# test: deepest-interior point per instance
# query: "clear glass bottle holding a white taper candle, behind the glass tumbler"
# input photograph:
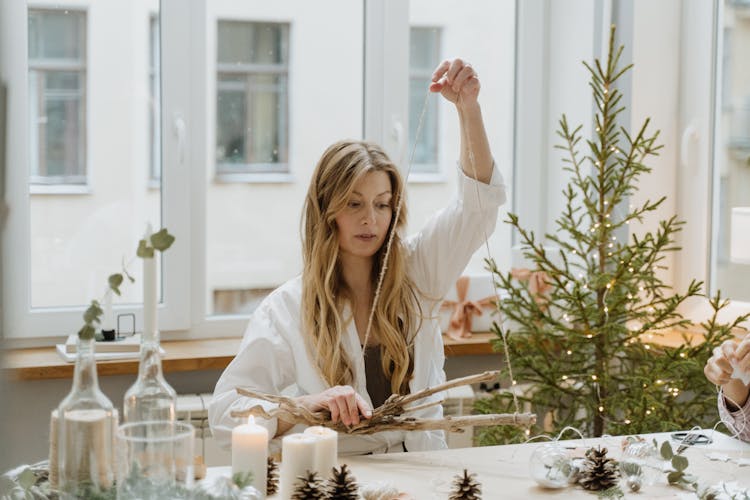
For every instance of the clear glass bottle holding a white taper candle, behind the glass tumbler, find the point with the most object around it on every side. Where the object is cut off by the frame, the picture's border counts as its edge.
(150, 398)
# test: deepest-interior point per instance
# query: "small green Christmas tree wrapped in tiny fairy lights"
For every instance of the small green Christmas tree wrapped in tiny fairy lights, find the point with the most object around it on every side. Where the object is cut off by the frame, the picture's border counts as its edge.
(579, 350)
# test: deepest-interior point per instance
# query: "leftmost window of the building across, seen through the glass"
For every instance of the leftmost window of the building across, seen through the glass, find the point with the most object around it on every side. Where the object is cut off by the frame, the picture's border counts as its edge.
(57, 96)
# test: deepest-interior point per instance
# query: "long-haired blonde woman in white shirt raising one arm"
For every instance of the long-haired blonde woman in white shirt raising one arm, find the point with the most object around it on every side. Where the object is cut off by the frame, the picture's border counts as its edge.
(310, 334)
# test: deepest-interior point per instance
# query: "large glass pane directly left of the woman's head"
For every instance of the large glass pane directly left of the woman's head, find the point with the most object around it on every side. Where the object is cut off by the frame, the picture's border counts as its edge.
(284, 92)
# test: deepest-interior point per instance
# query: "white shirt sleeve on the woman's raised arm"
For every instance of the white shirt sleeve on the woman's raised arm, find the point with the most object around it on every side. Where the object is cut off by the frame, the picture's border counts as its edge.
(441, 250)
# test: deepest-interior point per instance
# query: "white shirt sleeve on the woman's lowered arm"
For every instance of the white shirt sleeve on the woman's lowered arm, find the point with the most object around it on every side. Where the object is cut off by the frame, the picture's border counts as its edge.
(265, 363)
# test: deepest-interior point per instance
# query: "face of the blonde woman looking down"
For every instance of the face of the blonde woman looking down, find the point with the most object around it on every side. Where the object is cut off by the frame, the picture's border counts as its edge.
(364, 221)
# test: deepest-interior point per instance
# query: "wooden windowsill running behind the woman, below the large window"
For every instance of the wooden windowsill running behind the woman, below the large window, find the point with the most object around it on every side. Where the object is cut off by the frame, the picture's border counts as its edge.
(43, 363)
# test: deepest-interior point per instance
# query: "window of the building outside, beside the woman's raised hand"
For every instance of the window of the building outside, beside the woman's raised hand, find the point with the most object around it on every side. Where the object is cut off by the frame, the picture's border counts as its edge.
(424, 53)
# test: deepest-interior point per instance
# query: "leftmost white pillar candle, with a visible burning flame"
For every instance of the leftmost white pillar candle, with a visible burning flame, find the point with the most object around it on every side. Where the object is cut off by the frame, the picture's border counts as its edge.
(250, 452)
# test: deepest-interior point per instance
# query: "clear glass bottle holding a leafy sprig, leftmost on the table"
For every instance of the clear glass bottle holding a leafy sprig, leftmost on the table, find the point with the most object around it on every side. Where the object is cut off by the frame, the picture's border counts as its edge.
(86, 423)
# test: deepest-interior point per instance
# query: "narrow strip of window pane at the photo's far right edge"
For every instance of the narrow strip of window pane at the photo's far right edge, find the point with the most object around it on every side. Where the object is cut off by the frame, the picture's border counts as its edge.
(733, 159)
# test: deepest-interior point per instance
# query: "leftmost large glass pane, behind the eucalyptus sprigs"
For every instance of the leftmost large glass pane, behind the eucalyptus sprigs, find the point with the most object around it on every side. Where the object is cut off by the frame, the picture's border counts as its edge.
(100, 140)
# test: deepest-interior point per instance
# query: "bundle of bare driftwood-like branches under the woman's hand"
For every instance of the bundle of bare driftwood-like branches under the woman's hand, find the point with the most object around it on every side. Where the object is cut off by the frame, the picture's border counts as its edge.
(391, 415)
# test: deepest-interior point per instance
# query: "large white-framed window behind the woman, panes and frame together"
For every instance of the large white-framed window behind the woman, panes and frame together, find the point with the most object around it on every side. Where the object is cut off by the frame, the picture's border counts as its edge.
(264, 88)
